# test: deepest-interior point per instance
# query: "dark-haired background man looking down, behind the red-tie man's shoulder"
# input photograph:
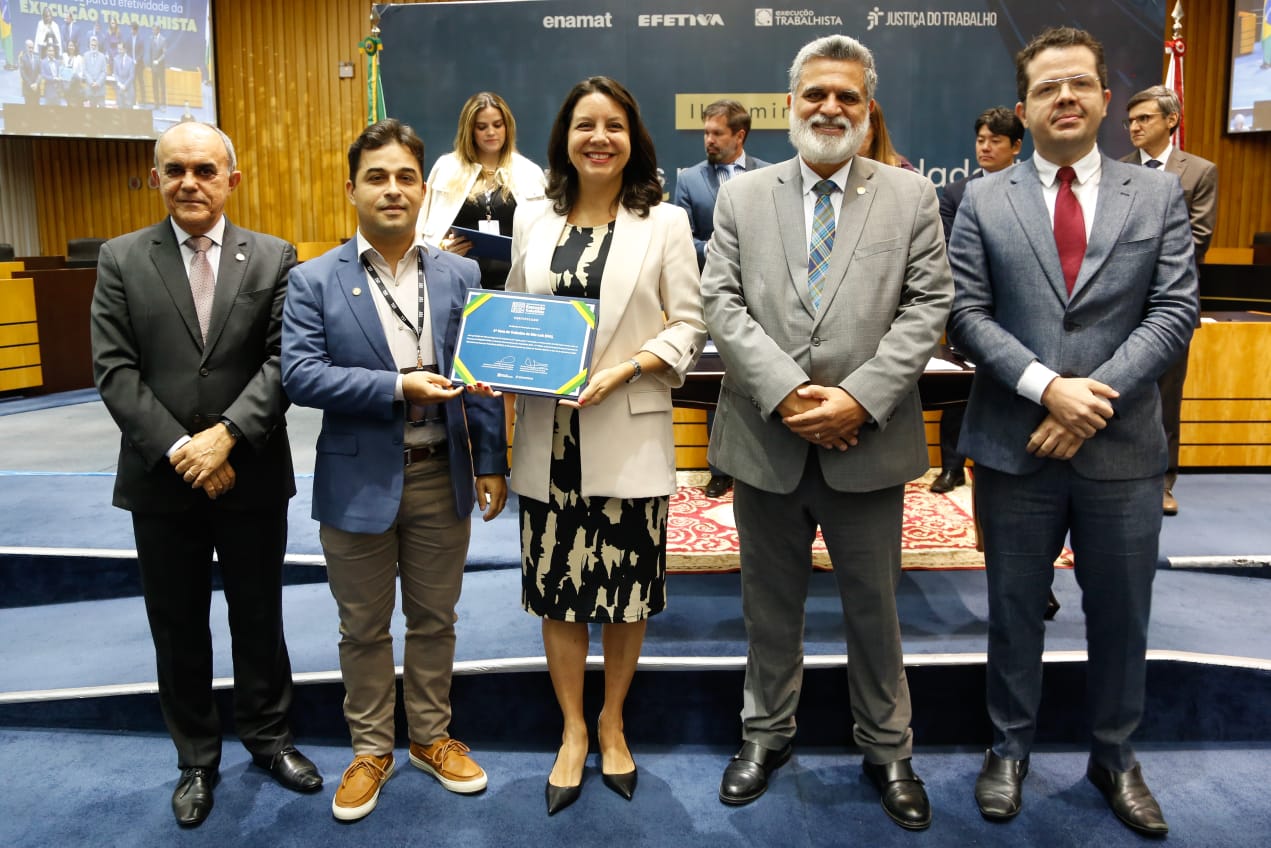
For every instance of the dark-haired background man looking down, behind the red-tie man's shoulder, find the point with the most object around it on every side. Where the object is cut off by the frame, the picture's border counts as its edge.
(998, 137)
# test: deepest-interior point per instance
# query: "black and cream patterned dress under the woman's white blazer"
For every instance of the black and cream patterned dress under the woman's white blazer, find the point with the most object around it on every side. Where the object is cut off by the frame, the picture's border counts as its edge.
(589, 559)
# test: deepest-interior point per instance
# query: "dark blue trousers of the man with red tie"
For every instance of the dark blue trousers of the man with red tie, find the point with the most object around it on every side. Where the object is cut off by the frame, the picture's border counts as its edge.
(1114, 527)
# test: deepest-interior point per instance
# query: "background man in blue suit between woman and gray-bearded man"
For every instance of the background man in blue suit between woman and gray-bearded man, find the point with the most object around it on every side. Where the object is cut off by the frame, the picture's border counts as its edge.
(728, 125)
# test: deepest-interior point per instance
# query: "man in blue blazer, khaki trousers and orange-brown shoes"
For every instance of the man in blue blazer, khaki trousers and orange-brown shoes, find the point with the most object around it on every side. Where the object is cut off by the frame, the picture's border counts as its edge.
(369, 331)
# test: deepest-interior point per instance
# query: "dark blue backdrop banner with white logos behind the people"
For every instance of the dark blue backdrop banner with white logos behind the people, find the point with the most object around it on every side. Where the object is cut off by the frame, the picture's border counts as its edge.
(941, 63)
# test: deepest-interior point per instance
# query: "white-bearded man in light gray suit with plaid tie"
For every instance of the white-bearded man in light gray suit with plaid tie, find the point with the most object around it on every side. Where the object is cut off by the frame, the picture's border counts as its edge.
(826, 291)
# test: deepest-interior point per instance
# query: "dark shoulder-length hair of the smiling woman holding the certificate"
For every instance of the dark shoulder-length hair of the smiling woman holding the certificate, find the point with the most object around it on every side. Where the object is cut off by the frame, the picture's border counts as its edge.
(641, 188)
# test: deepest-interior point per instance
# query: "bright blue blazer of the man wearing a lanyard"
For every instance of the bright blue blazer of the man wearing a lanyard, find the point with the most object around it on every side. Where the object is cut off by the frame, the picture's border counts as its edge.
(337, 359)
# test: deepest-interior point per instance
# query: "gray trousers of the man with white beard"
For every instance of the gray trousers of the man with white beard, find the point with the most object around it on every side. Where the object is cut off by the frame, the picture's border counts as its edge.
(862, 535)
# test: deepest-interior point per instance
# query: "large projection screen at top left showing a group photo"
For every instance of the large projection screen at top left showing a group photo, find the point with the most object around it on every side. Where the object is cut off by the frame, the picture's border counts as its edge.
(105, 69)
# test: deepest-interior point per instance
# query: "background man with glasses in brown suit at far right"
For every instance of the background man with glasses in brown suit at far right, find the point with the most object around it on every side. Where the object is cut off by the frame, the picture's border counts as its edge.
(1153, 118)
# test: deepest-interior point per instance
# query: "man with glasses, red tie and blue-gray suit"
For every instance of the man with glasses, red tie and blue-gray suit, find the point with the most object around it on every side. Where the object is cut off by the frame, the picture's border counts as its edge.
(1076, 289)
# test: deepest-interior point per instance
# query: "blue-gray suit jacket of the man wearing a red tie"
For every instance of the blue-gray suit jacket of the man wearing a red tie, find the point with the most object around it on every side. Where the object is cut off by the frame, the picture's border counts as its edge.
(1131, 315)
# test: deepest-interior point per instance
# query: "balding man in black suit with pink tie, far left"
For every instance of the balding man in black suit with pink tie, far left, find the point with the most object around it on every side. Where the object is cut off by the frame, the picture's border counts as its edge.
(187, 327)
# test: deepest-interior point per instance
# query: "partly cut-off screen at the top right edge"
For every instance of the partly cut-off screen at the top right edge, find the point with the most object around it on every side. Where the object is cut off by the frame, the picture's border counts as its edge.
(1250, 106)
